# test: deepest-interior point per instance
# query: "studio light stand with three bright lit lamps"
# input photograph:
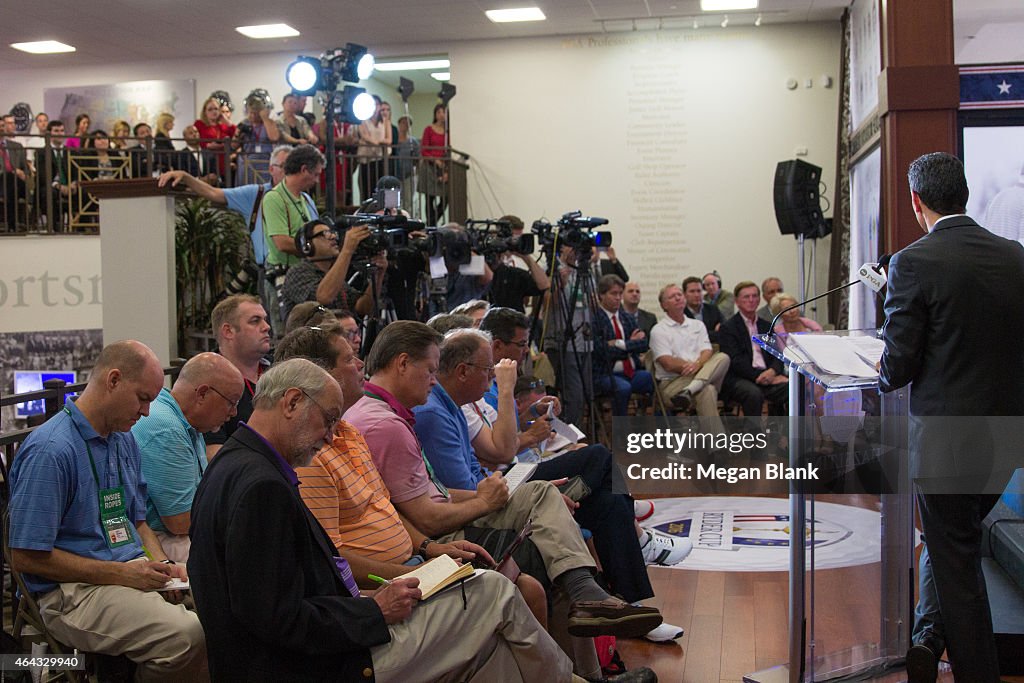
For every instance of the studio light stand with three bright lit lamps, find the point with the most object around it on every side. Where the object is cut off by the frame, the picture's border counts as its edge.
(308, 76)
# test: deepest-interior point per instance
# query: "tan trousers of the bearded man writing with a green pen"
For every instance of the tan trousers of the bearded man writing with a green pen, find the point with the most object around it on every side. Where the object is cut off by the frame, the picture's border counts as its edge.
(494, 638)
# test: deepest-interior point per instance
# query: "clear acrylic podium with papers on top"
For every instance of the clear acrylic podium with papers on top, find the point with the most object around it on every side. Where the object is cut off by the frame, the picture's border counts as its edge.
(839, 649)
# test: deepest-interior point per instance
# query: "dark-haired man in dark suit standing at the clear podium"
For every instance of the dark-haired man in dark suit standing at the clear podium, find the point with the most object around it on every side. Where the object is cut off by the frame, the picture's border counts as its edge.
(959, 272)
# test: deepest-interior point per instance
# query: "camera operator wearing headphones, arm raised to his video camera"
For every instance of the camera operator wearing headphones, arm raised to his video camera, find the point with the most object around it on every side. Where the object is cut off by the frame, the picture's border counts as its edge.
(323, 275)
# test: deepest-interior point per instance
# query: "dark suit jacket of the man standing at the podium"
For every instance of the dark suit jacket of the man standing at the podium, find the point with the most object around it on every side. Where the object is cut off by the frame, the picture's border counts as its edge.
(954, 329)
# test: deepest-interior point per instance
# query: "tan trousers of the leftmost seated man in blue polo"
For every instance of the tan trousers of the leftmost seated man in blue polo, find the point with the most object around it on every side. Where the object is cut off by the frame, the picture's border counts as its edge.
(165, 642)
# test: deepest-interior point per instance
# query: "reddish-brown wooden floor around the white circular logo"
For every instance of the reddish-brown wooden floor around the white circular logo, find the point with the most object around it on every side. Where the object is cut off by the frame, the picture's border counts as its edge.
(736, 622)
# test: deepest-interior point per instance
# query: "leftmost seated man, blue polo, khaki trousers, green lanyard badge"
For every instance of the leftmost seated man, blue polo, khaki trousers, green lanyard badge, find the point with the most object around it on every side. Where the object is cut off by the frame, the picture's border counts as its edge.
(96, 573)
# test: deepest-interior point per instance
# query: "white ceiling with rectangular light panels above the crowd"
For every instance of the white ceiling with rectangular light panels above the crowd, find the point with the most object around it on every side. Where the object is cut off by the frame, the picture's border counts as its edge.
(111, 31)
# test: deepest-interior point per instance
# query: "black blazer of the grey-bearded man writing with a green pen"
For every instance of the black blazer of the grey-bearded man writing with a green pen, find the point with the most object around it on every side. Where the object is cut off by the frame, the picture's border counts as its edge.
(268, 591)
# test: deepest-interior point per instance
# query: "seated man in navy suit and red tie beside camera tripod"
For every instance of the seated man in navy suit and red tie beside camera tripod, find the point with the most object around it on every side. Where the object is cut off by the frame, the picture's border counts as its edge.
(618, 346)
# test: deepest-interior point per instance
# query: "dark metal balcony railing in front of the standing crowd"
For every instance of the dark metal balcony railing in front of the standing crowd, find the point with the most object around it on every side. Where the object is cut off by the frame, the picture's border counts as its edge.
(50, 198)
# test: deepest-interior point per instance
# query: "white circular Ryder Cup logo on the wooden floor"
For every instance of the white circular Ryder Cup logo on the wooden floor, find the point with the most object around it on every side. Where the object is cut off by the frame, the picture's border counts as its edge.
(753, 534)
